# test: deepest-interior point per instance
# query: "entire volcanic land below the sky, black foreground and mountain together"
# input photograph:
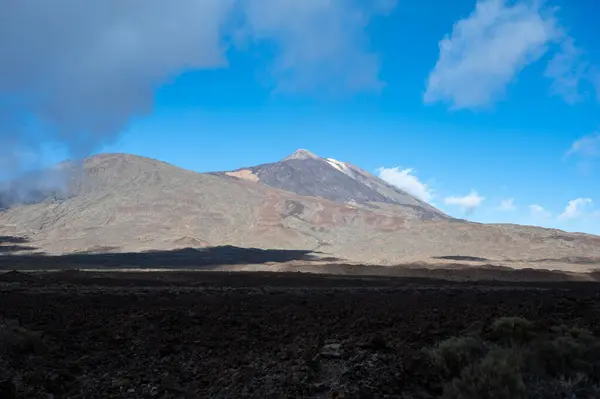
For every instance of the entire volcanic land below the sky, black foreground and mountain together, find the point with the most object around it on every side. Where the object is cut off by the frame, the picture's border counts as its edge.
(398, 281)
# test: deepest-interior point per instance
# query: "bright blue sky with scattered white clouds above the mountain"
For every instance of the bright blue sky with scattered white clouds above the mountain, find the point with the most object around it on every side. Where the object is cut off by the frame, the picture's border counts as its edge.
(487, 109)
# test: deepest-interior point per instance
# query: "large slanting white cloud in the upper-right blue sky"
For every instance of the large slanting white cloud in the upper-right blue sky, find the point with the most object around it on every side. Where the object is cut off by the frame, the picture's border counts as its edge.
(485, 51)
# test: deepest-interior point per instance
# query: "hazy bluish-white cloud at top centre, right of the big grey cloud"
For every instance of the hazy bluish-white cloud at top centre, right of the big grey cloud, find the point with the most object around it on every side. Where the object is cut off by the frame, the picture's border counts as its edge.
(319, 44)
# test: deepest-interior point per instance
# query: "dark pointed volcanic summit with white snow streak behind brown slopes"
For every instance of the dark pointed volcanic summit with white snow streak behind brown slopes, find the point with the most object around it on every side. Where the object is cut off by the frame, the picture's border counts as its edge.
(304, 173)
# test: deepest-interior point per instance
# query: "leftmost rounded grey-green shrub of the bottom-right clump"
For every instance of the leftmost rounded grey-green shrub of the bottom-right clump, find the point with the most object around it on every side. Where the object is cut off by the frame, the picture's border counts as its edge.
(451, 356)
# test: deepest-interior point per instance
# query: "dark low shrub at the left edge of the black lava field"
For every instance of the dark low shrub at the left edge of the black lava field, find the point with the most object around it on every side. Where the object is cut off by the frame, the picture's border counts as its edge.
(17, 342)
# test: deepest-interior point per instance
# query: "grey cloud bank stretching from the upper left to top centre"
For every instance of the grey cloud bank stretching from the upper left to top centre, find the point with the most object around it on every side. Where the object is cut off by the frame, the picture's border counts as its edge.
(76, 72)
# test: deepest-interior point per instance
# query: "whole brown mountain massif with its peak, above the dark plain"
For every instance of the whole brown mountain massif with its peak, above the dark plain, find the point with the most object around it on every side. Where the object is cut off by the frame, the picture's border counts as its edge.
(128, 203)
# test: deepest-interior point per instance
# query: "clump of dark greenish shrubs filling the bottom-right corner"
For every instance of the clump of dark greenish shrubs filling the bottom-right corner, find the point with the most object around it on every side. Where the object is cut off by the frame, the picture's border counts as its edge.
(514, 359)
